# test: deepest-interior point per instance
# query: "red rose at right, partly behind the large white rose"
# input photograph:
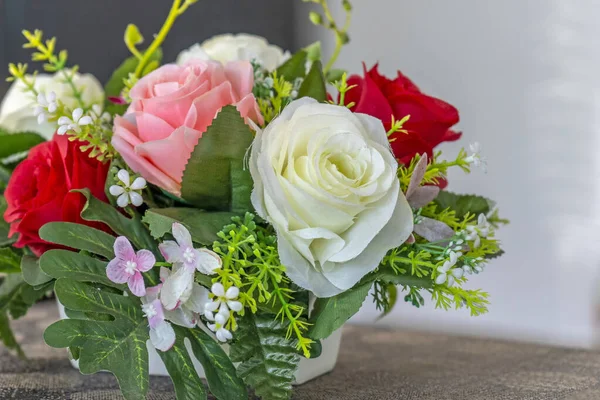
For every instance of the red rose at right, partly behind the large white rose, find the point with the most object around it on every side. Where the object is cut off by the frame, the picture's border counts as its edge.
(430, 118)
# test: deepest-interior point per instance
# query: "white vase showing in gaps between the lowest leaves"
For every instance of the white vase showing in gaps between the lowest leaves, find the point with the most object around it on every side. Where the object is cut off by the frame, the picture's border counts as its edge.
(309, 368)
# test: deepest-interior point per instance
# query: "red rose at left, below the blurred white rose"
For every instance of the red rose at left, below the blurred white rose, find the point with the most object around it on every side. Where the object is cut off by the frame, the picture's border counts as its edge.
(39, 190)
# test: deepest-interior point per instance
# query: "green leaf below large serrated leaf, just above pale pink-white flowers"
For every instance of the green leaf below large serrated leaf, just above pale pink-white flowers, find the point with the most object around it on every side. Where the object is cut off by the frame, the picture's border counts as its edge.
(203, 226)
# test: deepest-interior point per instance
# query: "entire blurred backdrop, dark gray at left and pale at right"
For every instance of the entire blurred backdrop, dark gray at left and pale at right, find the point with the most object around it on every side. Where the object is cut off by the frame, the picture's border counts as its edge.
(524, 75)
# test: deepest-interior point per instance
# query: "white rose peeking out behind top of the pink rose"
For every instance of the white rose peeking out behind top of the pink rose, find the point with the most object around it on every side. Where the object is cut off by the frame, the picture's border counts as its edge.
(242, 47)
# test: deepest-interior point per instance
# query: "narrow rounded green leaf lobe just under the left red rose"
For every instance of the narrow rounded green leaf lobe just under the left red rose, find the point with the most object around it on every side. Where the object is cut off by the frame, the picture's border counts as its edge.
(79, 237)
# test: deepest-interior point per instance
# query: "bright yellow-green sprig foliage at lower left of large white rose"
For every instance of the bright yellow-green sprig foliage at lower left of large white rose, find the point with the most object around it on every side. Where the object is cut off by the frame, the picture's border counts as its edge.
(251, 263)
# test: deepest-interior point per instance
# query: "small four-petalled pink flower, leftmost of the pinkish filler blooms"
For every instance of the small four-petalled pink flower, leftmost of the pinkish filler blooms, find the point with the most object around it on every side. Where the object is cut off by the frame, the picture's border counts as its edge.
(128, 266)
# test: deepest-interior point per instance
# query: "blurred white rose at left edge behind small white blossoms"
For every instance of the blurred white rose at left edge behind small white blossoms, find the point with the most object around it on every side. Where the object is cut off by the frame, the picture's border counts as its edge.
(16, 110)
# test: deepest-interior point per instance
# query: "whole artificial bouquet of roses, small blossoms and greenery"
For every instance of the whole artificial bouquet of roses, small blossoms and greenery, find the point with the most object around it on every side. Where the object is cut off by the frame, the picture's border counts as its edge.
(227, 198)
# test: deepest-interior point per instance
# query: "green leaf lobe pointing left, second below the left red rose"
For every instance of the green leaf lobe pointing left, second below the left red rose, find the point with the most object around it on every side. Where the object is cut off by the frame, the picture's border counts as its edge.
(67, 264)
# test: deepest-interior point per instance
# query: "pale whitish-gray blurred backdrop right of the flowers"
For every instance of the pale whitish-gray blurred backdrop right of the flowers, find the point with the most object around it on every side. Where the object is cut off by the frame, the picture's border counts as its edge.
(524, 75)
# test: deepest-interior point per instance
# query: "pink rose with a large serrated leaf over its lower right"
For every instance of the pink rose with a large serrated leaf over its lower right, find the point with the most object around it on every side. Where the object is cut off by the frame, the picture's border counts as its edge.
(171, 108)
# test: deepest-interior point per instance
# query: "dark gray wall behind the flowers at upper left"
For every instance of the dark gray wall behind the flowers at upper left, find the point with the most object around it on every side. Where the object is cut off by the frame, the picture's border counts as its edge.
(92, 30)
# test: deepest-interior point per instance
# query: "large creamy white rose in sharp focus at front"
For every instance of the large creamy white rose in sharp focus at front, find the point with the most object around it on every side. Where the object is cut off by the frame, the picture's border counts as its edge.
(325, 178)
